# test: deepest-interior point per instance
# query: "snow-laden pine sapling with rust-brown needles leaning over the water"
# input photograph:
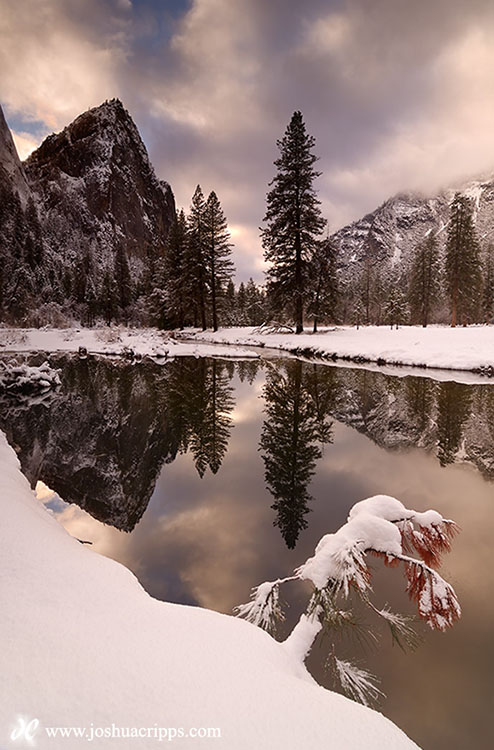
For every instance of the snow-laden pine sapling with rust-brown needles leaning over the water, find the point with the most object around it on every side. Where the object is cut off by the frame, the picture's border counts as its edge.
(382, 526)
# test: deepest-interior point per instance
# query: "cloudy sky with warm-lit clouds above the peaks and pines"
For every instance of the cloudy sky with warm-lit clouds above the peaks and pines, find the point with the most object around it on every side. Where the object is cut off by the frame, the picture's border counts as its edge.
(399, 94)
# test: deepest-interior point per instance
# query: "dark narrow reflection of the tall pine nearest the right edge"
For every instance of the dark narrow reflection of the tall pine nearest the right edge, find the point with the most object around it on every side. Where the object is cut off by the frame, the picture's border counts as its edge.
(454, 406)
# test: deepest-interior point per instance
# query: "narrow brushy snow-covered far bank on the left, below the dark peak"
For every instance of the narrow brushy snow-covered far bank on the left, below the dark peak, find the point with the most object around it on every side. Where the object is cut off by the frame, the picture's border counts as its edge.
(112, 341)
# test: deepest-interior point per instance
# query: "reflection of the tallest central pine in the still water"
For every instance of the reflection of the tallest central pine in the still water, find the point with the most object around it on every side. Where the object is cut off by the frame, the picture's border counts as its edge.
(289, 442)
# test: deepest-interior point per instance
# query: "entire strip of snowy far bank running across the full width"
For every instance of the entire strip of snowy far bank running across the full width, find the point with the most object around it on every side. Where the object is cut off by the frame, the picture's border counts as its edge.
(440, 352)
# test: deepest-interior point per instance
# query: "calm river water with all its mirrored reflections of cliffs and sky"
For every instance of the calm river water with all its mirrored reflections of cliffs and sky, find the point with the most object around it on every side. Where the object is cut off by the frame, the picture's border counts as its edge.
(182, 472)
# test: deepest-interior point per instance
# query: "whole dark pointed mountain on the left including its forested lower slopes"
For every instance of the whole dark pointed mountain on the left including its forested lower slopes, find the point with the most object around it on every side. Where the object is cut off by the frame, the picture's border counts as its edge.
(83, 223)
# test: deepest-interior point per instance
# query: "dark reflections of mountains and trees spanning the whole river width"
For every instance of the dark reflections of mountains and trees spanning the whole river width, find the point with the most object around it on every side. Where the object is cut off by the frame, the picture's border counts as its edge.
(101, 441)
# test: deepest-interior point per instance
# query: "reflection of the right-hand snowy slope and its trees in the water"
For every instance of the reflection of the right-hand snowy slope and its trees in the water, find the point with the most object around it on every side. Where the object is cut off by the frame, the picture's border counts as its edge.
(451, 420)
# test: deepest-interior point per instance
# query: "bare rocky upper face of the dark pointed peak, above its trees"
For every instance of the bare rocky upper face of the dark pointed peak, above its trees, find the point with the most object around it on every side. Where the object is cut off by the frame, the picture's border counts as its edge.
(93, 181)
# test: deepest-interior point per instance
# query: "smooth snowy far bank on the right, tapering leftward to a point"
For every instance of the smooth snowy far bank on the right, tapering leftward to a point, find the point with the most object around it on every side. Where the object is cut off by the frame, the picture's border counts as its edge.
(441, 347)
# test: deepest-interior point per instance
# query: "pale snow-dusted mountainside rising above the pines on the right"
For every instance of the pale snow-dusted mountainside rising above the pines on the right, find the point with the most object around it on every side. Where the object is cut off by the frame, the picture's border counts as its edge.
(389, 235)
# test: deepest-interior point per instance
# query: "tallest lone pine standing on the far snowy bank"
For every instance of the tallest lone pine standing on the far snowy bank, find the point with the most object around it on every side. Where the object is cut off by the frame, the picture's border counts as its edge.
(294, 221)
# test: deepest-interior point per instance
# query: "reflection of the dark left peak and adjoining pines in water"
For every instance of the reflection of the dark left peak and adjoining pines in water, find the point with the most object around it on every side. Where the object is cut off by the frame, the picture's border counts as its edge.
(100, 442)
